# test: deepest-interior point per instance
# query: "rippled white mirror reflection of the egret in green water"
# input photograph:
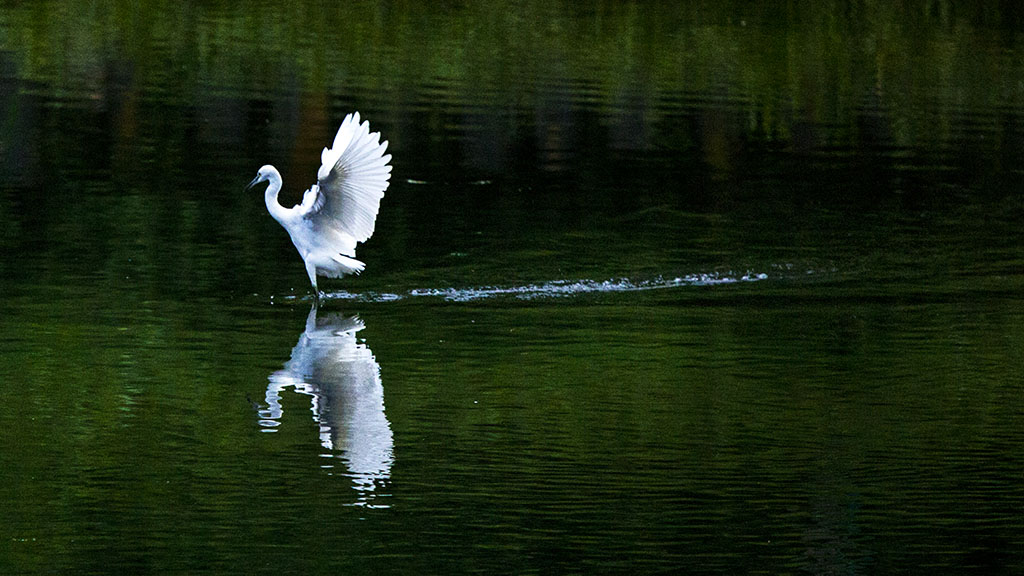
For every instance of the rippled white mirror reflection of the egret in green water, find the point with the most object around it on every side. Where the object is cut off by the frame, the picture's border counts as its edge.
(343, 380)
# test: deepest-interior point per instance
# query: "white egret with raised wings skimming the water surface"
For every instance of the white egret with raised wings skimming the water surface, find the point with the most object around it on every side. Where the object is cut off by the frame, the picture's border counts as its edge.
(342, 209)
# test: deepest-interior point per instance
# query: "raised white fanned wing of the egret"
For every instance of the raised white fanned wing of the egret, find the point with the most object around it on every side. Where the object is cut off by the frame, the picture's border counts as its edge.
(352, 182)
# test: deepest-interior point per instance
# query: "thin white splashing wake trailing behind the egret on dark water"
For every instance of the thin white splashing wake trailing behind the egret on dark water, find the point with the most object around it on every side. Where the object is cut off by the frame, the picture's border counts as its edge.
(552, 290)
